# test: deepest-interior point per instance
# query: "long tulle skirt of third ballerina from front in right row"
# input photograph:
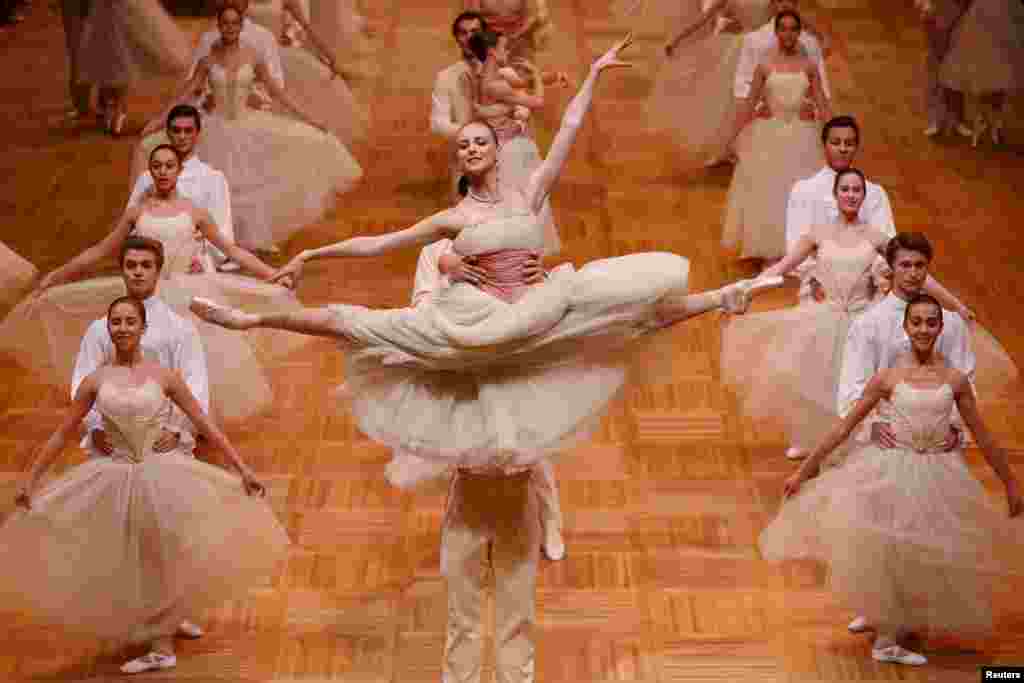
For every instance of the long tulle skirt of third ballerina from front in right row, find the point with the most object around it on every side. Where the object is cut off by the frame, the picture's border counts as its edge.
(774, 155)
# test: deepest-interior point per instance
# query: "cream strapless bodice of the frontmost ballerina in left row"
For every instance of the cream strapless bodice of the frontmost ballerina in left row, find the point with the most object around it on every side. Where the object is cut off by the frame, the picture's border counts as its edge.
(134, 417)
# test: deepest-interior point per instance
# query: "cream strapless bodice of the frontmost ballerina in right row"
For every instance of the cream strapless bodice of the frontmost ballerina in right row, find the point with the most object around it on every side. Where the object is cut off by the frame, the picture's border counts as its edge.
(921, 417)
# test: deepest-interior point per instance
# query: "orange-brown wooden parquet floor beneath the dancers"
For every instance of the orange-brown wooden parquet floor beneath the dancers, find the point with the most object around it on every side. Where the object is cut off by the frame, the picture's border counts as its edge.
(663, 508)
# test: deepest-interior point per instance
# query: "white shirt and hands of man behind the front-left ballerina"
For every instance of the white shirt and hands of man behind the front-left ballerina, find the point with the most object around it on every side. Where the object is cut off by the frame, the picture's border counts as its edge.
(170, 340)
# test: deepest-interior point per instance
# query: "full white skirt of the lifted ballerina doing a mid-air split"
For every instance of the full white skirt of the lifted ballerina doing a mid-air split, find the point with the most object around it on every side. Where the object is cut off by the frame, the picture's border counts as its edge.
(467, 380)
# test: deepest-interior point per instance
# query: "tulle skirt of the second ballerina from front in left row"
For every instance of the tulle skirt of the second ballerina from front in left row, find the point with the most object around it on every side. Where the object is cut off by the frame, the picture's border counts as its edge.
(46, 335)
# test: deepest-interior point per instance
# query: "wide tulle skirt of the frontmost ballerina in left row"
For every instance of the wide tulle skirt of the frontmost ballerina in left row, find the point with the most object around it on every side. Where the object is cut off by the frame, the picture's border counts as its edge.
(126, 551)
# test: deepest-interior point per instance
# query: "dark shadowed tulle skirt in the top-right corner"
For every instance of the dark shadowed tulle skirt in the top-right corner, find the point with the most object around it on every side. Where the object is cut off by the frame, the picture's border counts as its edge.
(987, 53)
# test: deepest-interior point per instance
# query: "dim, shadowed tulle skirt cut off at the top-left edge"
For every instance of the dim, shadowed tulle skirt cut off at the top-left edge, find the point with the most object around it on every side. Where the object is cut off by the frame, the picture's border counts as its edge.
(130, 41)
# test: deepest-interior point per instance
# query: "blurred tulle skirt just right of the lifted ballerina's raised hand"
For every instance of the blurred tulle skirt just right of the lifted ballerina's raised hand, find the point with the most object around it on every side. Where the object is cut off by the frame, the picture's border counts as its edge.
(693, 97)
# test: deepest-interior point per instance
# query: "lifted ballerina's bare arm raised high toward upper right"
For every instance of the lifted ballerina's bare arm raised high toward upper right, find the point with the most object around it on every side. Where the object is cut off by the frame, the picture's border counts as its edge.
(547, 175)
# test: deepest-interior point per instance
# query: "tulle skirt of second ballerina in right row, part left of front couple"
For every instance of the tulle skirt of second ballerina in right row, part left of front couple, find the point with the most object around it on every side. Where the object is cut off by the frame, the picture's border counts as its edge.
(785, 366)
